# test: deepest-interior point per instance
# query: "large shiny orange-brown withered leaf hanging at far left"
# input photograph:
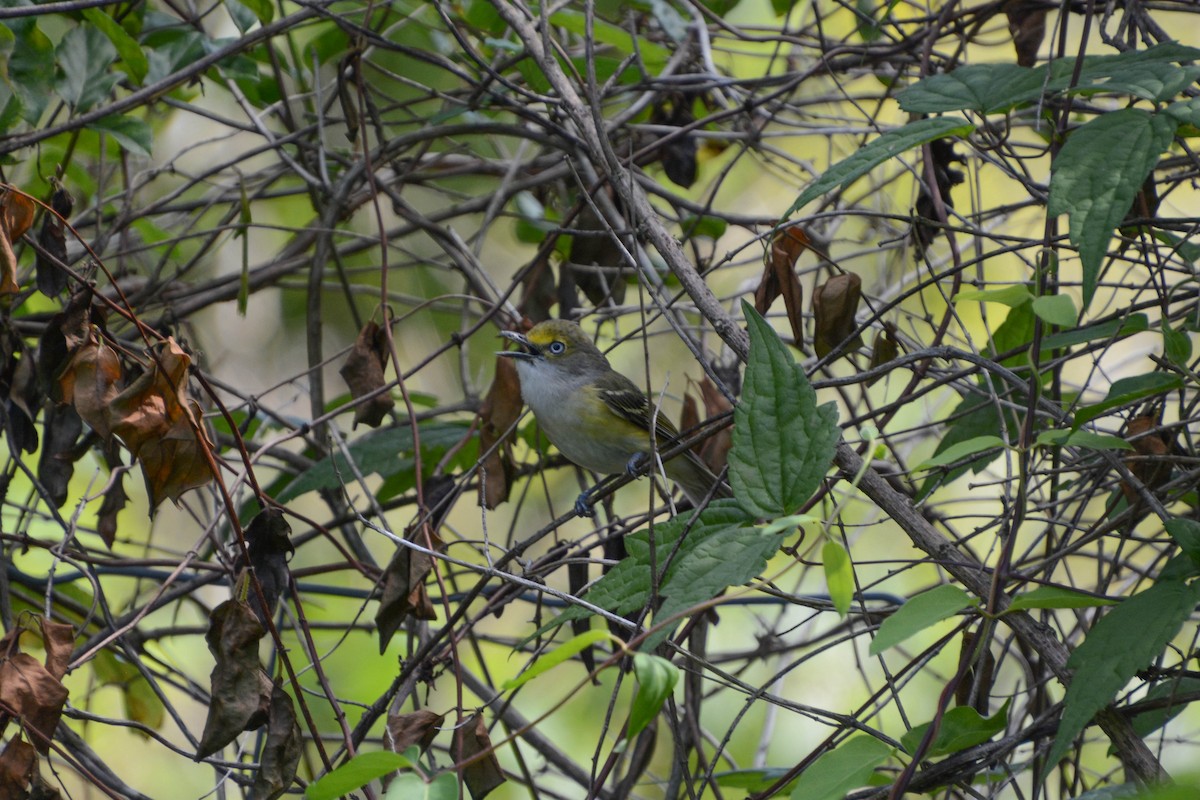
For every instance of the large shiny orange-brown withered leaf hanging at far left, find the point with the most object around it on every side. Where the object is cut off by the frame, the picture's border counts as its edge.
(159, 424)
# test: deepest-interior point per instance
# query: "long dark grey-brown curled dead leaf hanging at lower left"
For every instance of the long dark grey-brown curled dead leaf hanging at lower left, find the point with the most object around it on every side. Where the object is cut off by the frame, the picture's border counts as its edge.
(241, 690)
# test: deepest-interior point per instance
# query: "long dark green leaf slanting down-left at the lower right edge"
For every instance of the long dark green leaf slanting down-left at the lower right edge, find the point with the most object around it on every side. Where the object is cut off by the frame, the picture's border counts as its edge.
(1126, 640)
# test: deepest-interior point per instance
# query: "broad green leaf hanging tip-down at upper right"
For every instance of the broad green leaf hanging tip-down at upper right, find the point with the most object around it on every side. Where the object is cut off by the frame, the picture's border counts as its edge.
(1097, 176)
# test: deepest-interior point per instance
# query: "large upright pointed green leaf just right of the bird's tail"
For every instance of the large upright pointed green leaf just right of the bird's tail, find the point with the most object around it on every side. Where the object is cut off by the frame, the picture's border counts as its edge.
(783, 442)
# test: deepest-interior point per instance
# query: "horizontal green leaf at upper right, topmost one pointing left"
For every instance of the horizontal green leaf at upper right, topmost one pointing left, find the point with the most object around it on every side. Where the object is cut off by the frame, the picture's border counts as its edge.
(983, 88)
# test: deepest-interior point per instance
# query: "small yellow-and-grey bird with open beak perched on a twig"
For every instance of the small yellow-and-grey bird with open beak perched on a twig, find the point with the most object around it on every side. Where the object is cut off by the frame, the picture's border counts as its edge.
(597, 417)
